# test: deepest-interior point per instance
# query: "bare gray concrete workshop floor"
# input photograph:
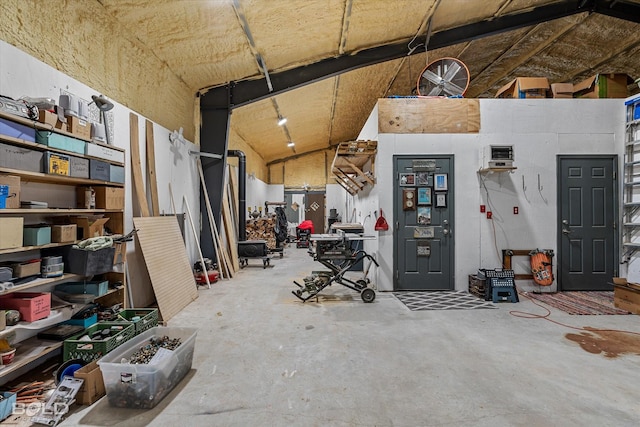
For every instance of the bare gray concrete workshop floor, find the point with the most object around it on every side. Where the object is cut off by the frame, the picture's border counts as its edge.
(264, 358)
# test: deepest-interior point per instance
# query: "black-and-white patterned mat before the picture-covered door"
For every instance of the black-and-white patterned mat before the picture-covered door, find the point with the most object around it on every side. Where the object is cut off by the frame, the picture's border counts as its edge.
(442, 300)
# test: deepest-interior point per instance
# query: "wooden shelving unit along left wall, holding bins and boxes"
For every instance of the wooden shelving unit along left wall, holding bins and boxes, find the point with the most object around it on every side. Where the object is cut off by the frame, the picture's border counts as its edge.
(30, 350)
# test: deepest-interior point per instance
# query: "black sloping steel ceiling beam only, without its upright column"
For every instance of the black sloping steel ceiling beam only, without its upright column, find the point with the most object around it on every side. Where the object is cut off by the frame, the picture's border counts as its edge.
(244, 92)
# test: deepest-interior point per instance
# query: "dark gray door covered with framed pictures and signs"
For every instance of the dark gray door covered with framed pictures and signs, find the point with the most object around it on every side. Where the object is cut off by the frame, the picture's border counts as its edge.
(423, 242)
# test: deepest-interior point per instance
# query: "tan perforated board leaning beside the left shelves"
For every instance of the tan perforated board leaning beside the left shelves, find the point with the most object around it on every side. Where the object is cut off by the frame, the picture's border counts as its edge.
(166, 258)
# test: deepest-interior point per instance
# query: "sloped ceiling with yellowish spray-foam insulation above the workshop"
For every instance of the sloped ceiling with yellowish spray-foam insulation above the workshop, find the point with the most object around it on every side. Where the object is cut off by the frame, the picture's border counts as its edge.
(323, 64)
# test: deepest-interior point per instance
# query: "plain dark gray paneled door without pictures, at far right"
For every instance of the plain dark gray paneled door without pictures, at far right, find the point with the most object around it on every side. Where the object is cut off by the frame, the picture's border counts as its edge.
(587, 207)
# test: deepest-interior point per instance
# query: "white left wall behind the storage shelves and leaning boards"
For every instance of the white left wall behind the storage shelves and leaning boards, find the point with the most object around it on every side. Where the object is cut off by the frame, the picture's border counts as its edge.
(22, 75)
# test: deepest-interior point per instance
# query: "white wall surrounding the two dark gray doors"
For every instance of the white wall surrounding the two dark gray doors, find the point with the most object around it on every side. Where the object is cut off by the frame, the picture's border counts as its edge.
(539, 130)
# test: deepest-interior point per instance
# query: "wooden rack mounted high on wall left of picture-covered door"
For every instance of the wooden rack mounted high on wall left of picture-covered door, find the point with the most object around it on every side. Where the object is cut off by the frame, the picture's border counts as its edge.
(353, 165)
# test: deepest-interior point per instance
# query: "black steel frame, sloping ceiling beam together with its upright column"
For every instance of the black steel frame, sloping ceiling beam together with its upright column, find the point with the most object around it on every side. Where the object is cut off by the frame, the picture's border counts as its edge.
(219, 101)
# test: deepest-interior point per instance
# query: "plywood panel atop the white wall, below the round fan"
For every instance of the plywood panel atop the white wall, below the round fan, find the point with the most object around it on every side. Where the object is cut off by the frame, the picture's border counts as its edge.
(428, 115)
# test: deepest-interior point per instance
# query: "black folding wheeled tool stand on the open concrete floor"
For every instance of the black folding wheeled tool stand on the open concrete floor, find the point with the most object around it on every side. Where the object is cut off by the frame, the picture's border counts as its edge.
(334, 251)
